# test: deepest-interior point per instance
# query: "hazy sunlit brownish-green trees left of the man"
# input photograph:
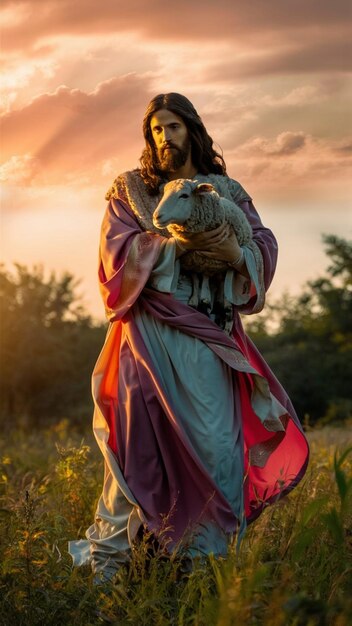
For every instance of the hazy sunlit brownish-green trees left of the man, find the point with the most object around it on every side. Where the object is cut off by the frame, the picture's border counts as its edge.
(48, 346)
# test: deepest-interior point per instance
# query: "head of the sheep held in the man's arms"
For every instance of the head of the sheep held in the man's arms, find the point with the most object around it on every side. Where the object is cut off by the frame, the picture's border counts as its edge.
(175, 206)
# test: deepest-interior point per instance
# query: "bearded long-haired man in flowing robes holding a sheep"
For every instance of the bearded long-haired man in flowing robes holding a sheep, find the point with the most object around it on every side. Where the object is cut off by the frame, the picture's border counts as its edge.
(196, 432)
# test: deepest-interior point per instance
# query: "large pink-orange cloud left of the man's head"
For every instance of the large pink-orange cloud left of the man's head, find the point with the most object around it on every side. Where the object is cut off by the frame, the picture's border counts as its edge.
(70, 134)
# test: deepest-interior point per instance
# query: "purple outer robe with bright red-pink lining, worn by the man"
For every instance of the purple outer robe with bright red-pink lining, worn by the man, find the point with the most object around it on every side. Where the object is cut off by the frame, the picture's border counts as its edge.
(137, 415)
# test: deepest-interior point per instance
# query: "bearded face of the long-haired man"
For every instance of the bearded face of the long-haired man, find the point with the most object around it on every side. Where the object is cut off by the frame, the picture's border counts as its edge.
(171, 140)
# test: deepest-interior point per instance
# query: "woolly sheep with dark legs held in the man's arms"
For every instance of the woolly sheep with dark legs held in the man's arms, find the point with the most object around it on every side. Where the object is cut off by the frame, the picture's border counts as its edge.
(188, 206)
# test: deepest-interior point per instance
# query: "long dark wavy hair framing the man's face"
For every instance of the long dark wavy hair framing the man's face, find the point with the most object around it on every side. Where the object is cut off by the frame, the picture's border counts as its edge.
(204, 157)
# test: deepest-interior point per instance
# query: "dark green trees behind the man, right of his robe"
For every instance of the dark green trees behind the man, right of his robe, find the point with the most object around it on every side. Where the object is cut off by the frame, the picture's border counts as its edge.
(310, 350)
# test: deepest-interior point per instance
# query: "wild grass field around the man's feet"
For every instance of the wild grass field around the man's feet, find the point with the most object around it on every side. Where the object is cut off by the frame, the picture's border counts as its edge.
(294, 566)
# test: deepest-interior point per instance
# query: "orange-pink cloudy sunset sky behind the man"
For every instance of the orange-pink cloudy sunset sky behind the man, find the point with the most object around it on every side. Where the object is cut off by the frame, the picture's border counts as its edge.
(270, 79)
